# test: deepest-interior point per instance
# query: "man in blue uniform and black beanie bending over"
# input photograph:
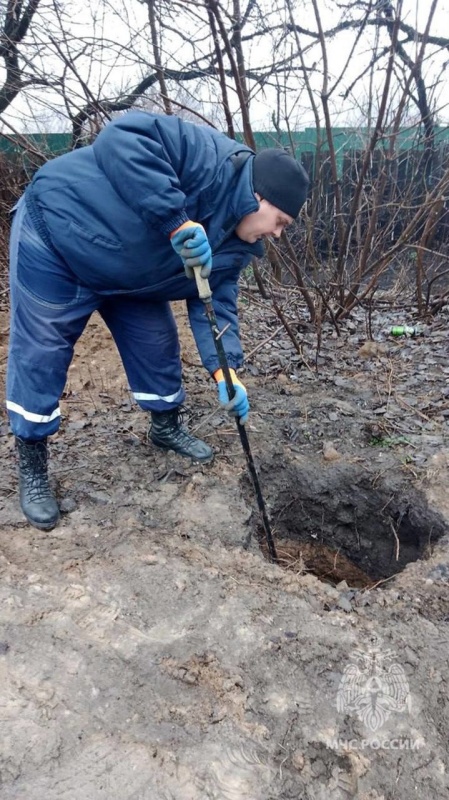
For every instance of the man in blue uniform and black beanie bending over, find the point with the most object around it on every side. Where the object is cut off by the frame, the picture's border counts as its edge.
(117, 227)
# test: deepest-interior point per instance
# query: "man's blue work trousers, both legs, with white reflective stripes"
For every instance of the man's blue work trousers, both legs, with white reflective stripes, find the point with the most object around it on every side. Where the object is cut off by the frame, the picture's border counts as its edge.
(49, 311)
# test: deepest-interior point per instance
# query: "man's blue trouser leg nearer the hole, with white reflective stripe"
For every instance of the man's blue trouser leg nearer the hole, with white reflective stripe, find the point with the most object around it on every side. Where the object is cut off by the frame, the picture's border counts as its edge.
(147, 339)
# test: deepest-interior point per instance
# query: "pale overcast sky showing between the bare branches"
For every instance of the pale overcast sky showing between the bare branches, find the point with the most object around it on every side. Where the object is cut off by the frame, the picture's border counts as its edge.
(125, 21)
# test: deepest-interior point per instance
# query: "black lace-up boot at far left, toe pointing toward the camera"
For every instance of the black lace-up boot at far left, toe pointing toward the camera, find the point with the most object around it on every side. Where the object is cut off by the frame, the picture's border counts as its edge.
(36, 498)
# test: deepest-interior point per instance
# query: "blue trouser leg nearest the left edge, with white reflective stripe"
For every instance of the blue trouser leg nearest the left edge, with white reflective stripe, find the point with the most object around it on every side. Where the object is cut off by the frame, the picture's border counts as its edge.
(48, 314)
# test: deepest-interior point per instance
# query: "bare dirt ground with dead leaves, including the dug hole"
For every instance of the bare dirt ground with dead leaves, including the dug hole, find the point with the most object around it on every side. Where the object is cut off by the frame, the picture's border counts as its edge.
(149, 651)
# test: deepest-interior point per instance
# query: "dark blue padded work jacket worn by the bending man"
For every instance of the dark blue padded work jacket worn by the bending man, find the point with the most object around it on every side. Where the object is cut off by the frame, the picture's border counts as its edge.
(108, 209)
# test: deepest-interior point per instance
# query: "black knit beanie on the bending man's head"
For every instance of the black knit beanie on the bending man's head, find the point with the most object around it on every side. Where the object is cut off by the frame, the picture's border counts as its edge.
(281, 180)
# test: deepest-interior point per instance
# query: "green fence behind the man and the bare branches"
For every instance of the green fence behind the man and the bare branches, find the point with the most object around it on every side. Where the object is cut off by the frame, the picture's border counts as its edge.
(406, 177)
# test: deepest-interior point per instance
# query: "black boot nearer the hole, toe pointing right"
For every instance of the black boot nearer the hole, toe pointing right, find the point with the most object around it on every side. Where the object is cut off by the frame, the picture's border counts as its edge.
(167, 433)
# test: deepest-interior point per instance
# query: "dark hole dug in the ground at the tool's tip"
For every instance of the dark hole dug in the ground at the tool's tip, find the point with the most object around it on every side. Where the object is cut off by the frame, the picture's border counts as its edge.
(340, 524)
